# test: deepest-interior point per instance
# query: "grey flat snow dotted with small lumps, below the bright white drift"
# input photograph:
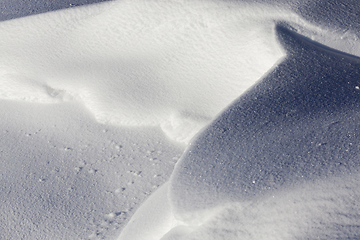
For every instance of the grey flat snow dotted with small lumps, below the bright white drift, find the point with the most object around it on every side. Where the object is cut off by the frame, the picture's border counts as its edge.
(65, 176)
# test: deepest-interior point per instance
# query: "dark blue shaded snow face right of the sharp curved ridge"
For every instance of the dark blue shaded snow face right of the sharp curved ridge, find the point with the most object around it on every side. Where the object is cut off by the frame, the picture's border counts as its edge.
(298, 125)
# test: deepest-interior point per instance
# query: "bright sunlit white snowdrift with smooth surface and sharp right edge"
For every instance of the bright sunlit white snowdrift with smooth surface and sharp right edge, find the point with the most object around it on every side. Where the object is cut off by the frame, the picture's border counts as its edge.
(171, 63)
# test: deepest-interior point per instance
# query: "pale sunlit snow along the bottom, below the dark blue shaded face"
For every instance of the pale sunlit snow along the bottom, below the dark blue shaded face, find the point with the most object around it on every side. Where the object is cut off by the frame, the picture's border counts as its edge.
(327, 209)
